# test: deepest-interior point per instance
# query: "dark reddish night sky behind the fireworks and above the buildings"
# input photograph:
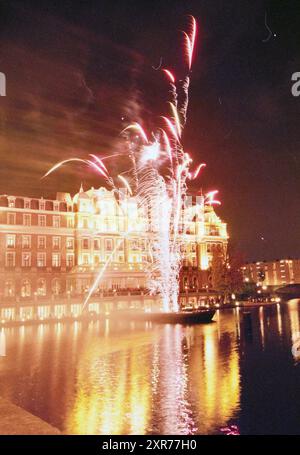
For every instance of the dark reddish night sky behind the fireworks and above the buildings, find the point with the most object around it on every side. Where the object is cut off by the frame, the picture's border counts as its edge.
(74, 69)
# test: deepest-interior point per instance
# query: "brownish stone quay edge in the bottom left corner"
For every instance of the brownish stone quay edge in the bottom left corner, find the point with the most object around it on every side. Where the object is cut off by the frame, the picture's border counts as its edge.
(16, 421)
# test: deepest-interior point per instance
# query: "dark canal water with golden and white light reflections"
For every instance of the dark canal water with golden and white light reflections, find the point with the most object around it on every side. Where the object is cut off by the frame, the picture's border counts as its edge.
(122, 377)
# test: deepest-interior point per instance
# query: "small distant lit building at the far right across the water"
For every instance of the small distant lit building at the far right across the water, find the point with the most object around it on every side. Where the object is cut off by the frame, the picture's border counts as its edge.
(273, 273)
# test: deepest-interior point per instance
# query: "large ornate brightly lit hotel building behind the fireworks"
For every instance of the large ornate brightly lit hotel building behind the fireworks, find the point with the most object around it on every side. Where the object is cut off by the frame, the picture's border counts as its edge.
(55, 248)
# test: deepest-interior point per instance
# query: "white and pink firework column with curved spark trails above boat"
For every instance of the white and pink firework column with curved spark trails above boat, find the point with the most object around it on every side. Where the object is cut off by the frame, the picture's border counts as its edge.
(159, 194)
